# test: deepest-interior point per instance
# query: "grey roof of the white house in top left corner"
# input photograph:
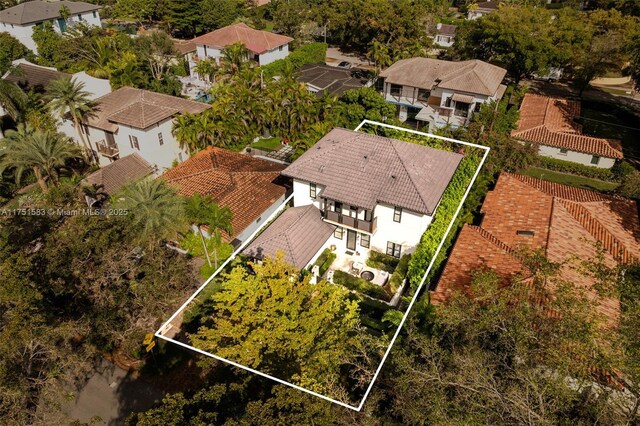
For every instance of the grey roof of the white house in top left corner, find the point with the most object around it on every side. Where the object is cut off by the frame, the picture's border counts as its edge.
(35, 11)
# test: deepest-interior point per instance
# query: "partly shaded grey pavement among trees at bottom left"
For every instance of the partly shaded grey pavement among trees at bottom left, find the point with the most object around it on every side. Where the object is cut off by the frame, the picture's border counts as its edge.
(110, 395)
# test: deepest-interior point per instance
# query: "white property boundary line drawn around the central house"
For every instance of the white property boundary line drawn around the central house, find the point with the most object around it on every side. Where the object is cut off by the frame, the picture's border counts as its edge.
(404, 318)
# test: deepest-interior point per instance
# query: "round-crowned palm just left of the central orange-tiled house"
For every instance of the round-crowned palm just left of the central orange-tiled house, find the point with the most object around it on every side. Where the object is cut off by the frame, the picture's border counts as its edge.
(155, 210)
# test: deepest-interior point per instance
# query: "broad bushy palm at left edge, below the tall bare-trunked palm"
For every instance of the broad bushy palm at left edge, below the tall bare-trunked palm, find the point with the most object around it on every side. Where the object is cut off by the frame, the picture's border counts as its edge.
(43, 152)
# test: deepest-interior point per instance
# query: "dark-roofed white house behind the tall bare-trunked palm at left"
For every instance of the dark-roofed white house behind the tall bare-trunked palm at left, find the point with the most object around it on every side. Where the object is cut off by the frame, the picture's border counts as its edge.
(34, 77)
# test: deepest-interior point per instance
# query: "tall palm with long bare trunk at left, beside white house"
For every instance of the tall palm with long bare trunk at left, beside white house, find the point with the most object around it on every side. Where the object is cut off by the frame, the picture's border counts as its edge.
(68, 95)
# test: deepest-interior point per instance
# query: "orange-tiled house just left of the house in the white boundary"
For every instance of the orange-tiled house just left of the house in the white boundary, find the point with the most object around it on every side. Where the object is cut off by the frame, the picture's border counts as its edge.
(252, 188)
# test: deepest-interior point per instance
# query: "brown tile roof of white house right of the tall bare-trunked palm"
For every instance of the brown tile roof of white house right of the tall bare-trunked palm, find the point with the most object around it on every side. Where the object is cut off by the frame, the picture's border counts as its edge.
(139, 108)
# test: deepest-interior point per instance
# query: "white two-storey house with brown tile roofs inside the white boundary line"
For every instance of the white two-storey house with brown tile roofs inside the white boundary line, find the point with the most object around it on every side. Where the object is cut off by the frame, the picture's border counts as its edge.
(375, 193)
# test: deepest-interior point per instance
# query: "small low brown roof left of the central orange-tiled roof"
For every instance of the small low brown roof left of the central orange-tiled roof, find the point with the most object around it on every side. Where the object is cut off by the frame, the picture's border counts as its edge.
(119, 173)
